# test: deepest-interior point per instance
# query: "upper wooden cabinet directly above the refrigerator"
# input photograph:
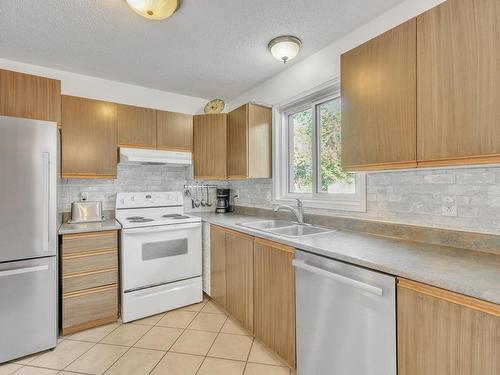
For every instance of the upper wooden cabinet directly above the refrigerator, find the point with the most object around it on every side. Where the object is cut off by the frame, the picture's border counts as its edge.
(28, 96)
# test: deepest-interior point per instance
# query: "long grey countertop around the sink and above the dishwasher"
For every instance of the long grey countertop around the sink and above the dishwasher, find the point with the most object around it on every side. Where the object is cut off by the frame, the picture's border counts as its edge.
(467, 272)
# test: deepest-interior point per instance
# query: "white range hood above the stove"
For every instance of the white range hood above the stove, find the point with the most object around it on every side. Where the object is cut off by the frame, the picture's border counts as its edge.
(153, 157)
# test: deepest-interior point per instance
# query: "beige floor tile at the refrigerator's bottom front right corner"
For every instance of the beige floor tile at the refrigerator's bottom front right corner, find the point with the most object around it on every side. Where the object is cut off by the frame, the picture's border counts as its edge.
(65, 353)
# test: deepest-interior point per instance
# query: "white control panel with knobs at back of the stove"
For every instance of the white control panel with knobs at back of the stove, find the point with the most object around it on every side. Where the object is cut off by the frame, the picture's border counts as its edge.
(149, 199)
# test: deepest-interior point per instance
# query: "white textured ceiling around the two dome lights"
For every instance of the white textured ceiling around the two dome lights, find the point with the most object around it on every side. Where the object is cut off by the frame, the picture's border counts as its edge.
(209, 48)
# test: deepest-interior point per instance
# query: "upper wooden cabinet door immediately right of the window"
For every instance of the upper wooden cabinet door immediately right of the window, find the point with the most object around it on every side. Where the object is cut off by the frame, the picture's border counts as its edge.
(379, 91)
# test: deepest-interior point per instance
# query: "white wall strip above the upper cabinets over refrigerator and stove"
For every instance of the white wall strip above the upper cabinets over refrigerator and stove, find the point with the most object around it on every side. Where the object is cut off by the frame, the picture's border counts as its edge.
(113, 91)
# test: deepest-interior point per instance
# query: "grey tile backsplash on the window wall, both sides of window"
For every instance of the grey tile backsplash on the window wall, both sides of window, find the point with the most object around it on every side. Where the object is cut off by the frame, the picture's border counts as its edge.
(461, 198)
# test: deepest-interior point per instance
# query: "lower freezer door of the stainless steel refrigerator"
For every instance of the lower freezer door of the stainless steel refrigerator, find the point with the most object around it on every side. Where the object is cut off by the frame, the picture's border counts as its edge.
(28, 321)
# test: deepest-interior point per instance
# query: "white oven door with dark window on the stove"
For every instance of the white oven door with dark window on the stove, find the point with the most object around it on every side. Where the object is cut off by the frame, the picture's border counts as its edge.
(158, 255)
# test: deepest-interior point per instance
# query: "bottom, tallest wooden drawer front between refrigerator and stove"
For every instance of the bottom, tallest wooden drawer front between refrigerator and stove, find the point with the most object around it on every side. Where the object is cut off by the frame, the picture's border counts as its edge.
(90, 306)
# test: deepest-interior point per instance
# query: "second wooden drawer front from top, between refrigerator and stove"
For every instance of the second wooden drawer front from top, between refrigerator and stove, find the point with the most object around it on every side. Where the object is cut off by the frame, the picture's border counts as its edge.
(90, 262)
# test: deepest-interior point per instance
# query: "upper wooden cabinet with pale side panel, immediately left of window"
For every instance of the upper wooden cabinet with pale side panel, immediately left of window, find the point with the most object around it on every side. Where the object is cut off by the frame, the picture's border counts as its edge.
(249, 137)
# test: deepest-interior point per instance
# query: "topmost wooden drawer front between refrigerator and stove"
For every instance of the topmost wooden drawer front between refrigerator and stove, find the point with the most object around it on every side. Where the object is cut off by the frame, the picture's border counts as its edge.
(88, 242)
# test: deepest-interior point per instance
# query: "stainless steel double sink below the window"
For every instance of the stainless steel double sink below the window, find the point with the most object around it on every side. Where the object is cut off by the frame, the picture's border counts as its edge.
(285, 228)
